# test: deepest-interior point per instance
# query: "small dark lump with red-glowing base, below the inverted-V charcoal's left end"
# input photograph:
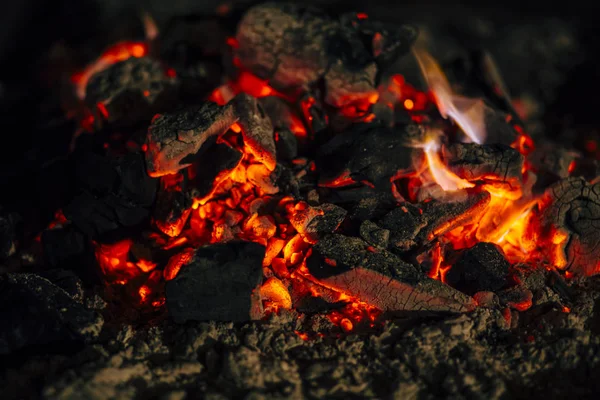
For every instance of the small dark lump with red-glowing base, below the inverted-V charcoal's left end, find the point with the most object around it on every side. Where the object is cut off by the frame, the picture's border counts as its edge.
(172, 209)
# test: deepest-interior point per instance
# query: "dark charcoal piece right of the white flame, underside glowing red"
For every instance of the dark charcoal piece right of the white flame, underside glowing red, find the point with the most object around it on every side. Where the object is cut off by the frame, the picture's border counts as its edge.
(492, 163)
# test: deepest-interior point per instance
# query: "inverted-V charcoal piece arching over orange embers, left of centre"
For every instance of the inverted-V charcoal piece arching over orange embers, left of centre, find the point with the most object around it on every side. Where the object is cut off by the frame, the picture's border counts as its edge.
(174, 137)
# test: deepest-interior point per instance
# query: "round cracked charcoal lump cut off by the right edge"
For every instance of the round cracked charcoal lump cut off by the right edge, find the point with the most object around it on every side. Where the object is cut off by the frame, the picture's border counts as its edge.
(571, 209)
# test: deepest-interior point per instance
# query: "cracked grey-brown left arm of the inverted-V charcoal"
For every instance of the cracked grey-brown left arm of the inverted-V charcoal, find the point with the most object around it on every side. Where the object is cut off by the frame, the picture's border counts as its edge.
(172, 137)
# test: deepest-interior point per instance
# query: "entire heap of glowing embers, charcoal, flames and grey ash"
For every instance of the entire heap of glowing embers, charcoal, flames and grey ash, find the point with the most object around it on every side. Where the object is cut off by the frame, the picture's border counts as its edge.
(314, 207)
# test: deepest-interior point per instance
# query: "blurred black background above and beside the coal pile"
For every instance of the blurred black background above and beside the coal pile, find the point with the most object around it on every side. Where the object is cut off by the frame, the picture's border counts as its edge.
(35, 136)
